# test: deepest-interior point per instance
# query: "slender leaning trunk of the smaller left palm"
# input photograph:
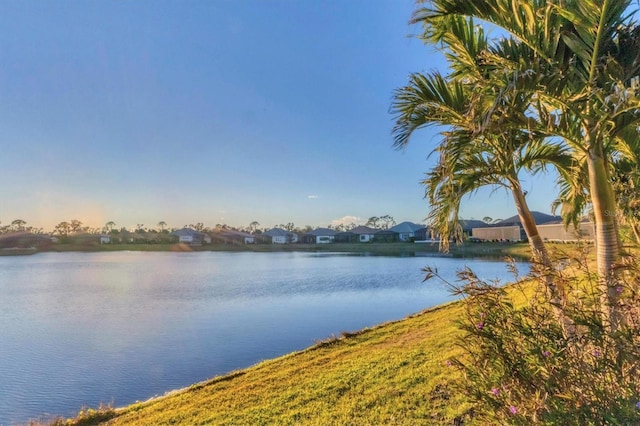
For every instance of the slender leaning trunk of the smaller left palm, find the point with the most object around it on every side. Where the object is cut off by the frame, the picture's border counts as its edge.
(541, 257)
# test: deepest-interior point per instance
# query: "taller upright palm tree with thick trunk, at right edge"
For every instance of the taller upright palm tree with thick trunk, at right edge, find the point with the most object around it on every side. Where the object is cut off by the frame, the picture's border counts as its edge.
(584, 60)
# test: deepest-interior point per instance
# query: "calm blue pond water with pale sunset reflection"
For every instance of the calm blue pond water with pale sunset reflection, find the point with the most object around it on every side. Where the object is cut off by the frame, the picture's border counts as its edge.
(84, 328)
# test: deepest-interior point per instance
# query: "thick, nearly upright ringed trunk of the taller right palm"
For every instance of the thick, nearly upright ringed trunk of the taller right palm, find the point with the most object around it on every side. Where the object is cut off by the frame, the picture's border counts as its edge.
(607, 239)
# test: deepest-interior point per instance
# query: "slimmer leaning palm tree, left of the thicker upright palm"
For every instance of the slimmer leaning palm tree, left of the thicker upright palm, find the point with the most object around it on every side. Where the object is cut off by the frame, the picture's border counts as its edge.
(488, 141)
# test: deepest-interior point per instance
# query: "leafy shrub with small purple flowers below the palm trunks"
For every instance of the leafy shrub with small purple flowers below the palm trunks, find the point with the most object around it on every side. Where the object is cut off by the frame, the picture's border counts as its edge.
(518, 366)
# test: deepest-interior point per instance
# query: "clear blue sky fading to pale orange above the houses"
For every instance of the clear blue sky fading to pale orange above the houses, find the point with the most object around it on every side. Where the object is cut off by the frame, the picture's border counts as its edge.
(213, 111)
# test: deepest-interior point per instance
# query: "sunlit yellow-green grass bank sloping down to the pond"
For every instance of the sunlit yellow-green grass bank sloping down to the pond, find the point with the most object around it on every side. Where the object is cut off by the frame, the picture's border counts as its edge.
(395, 373)
